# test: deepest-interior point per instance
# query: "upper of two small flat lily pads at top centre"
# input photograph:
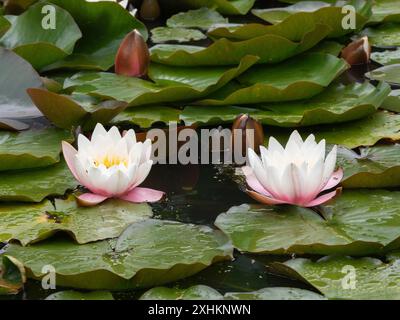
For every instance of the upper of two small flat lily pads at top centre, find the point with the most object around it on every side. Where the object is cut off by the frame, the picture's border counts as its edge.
(202, 18)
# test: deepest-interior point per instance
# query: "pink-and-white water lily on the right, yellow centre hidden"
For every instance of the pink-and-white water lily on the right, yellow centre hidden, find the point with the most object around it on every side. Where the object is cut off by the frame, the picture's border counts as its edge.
(297, 174)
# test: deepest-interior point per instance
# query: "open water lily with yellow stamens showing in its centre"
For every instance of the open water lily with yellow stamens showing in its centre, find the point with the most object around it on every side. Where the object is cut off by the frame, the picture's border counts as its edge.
(111, 166)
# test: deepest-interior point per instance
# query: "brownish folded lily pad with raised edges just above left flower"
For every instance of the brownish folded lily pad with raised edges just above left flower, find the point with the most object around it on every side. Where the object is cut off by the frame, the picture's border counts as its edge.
(71, 111)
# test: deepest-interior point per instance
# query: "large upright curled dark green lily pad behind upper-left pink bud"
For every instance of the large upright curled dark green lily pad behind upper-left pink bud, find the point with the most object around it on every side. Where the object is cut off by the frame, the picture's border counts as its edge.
(104, 24)
